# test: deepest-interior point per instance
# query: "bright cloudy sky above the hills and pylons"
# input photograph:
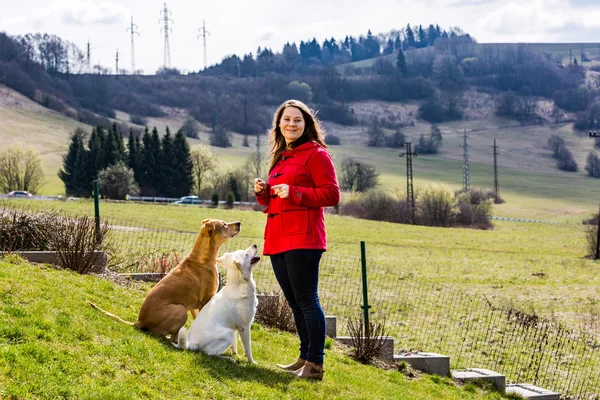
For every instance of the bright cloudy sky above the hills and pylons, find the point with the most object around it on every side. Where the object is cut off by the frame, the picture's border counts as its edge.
(240, 26)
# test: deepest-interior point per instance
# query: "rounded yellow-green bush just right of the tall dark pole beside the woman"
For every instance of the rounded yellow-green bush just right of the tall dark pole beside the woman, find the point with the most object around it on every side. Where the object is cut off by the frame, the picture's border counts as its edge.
(436, 206)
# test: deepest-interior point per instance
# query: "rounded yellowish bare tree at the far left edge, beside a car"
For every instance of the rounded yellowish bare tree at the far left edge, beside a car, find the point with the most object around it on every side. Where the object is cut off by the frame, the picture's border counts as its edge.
(21, 169)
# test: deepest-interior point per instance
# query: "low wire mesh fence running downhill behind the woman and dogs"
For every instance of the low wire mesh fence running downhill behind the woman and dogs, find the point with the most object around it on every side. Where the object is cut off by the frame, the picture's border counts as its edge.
(420, 315)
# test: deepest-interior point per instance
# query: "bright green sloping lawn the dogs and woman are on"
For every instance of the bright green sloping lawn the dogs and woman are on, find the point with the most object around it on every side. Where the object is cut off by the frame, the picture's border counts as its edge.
(55, 346)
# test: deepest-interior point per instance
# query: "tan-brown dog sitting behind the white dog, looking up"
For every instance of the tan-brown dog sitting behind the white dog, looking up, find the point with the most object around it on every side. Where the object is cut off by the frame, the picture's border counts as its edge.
(187, 287)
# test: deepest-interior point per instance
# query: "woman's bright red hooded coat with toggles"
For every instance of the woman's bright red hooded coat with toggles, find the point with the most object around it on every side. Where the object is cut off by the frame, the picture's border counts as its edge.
(298, 221)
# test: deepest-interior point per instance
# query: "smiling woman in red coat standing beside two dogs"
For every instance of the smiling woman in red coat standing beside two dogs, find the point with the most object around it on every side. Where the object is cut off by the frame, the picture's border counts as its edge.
(301, 182)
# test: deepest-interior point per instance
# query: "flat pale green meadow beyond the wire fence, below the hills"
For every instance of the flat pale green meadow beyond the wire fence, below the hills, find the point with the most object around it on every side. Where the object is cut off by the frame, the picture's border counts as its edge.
(536, 267)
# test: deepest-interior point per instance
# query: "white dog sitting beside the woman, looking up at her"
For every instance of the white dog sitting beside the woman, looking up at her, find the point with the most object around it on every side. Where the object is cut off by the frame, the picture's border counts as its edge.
(231, 309)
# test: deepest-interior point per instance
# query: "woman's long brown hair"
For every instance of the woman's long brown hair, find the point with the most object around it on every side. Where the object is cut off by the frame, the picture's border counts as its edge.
(312, 131)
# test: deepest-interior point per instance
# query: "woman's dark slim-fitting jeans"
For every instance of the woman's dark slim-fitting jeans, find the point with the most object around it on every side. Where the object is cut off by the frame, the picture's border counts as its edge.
(297, 272)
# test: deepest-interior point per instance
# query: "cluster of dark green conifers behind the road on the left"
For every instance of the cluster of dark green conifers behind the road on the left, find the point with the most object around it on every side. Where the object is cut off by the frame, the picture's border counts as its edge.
(158, 166)
